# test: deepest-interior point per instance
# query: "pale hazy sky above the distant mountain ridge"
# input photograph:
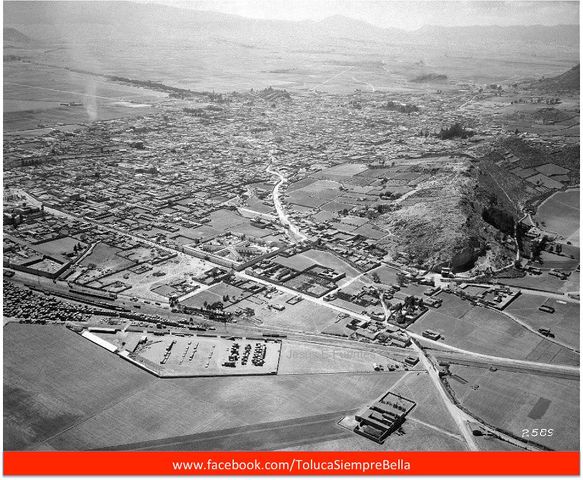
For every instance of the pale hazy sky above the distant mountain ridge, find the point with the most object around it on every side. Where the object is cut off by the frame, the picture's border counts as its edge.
(401, 14)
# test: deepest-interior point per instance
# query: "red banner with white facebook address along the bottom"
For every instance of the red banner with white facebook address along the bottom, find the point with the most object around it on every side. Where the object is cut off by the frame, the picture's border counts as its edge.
(291, 463)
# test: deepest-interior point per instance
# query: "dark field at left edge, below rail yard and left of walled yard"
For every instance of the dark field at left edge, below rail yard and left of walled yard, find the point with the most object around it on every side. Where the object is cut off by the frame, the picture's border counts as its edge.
(54, 379)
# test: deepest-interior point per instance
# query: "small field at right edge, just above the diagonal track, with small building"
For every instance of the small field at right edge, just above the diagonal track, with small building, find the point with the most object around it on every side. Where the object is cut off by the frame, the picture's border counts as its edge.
(564, 323)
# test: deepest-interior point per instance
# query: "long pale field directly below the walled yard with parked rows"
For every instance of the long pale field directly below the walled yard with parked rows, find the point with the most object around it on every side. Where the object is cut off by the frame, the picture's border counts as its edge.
(177, 407)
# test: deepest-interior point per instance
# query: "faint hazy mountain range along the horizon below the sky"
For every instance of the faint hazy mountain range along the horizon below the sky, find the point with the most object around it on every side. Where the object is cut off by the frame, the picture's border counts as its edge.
(129, 15)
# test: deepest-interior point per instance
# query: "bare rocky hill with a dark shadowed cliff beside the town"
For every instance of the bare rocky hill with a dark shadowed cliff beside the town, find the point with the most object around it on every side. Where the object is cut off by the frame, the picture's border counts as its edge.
(442, 223)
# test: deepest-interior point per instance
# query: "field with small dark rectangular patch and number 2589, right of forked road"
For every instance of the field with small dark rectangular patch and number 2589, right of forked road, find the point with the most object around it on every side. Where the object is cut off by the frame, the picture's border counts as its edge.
(517, 401)
